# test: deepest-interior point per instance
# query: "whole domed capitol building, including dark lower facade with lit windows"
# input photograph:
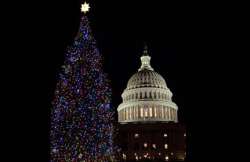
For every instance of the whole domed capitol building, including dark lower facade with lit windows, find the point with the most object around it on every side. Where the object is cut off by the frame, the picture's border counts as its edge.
(148, 123)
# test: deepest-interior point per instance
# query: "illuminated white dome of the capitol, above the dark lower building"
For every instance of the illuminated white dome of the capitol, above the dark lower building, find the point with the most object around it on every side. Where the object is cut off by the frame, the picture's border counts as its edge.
(147, 97)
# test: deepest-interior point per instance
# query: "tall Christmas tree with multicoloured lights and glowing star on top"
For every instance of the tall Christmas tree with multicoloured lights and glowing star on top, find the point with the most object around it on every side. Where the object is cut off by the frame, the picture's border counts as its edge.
(81, 116)
